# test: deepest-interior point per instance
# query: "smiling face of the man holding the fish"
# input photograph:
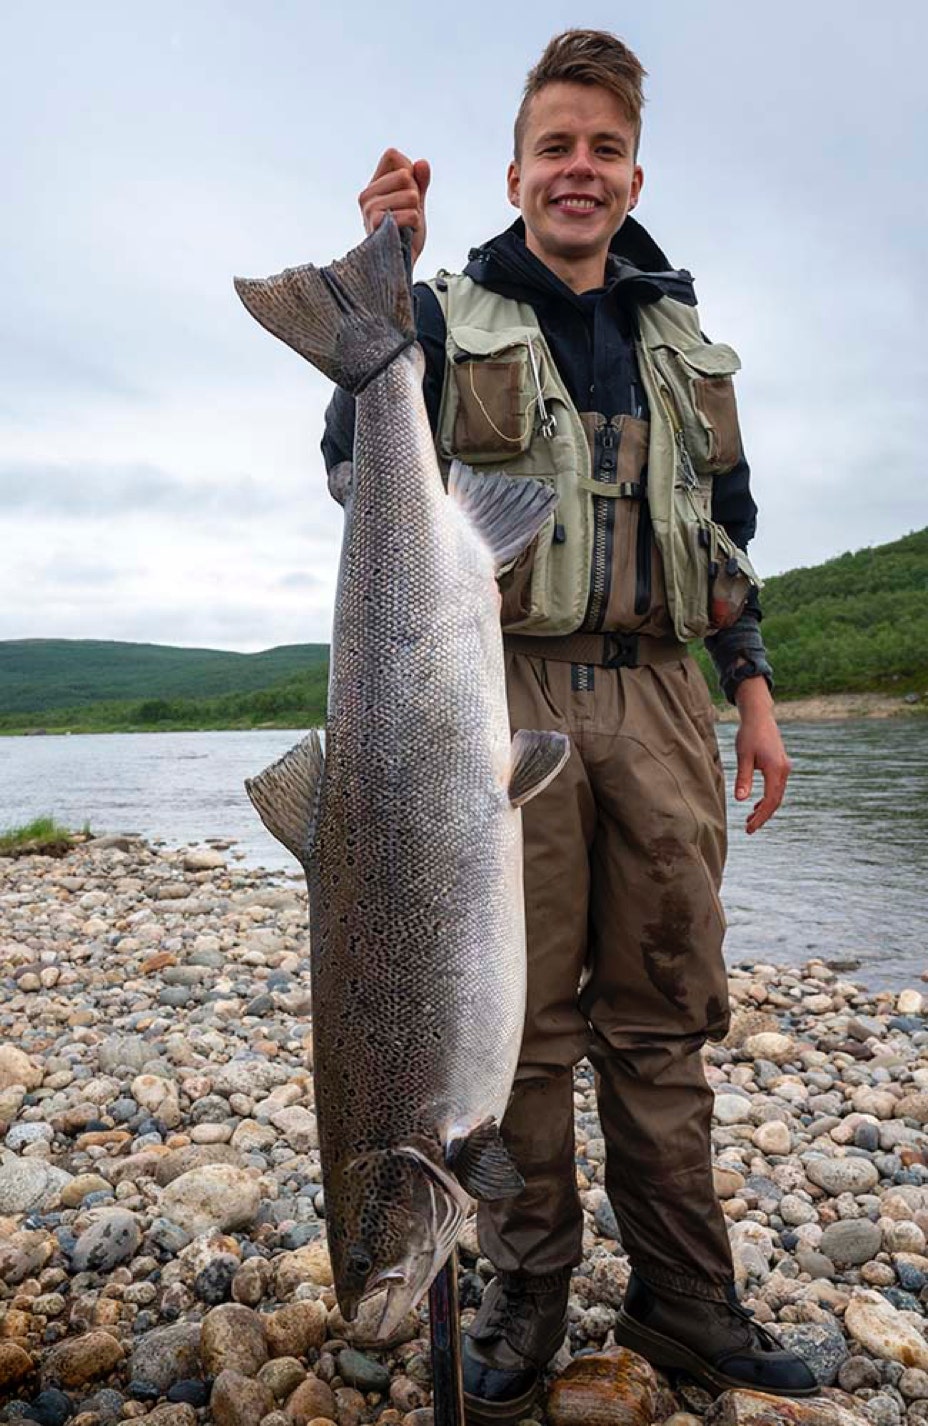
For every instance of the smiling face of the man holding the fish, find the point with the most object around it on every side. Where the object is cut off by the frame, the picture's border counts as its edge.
(577, 179)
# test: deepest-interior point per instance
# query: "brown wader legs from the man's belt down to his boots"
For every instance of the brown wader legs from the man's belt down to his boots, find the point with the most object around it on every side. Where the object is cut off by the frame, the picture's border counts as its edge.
(624, 859)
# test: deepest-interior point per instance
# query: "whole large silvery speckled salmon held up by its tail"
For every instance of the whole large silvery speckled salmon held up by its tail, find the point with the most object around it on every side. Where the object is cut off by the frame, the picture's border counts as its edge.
(408, 829)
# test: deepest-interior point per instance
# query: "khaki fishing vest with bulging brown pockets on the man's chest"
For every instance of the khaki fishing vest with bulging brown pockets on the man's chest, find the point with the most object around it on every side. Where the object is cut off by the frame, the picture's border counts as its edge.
(655, 564)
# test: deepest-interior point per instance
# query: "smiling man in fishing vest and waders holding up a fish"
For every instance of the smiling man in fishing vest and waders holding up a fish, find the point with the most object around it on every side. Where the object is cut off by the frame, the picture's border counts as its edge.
(569, 350)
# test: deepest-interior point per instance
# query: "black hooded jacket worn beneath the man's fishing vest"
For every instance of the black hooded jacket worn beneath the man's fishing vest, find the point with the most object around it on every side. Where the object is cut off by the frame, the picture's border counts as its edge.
(591, 339)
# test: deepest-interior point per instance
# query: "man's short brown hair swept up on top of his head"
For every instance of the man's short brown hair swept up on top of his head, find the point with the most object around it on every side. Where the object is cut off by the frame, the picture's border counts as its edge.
(587, 58)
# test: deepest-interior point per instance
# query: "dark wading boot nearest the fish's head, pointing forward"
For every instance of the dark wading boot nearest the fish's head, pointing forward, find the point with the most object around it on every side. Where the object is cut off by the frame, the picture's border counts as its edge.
(521, 1324)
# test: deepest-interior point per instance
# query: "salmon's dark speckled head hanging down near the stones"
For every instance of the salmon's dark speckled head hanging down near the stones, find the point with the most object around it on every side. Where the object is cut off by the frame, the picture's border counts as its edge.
(396, 1219)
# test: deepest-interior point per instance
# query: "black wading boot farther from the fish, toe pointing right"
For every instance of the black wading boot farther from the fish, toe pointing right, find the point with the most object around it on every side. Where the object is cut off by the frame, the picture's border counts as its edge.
(716, 1343)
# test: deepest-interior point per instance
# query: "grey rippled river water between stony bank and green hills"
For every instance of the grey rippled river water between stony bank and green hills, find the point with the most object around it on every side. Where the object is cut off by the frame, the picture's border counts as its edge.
(840, 873)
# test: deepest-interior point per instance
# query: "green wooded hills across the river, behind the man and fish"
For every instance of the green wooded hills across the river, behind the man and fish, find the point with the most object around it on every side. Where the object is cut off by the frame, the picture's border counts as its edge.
(856, 624)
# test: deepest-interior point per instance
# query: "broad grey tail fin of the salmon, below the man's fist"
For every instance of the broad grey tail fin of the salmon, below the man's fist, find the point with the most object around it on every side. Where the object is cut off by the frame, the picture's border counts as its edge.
(351, 319)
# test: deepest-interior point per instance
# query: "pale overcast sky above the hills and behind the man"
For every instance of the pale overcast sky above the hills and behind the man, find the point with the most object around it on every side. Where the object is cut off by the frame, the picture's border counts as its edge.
(160, 476)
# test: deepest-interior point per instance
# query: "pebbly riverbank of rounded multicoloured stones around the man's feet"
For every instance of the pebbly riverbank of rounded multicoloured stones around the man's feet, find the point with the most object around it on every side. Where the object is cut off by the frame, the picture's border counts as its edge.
(162, 1211)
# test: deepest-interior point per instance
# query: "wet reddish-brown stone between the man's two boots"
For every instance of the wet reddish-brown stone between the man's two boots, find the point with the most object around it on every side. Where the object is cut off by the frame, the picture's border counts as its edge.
(604, 1390)
